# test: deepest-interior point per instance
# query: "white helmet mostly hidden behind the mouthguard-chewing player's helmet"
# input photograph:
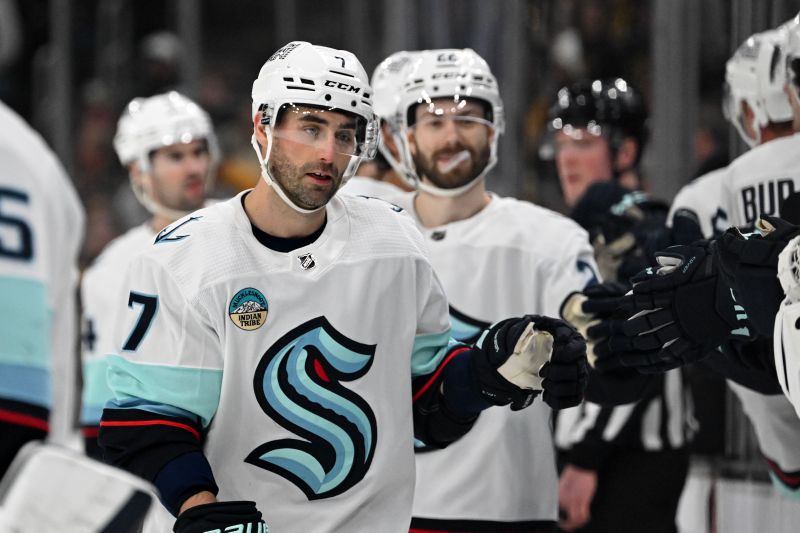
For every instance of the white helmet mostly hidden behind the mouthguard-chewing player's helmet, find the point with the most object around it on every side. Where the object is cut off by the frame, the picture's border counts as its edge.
(387, 82)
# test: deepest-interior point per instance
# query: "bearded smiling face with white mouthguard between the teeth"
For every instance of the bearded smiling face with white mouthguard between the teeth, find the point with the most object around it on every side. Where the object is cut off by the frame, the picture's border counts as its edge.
(450, 142)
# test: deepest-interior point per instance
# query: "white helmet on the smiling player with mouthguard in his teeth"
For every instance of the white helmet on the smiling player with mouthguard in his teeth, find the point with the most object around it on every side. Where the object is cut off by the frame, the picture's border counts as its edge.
(450, 73)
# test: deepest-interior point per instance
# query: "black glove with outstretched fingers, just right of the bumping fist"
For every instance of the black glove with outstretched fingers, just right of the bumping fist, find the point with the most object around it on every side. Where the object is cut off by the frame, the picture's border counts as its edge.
(683, 311)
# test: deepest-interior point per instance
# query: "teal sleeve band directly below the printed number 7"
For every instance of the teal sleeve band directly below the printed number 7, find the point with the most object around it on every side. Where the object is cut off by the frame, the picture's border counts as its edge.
(195, 390)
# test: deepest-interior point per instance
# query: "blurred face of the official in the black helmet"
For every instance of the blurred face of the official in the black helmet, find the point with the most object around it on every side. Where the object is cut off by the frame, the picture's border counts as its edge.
(581, 159)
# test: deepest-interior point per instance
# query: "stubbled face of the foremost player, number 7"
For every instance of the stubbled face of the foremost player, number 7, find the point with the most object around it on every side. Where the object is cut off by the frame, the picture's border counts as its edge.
(310, 153)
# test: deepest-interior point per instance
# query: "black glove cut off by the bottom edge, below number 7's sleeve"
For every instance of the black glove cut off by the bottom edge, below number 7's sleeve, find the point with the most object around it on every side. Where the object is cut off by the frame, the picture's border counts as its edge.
(221, 516)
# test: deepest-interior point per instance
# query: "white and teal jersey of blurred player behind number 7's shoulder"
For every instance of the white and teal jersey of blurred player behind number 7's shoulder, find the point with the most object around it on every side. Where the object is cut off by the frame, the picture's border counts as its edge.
(101, 291)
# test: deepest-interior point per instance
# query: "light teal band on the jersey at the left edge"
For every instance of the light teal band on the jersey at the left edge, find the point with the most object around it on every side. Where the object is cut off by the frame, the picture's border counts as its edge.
(25, 322)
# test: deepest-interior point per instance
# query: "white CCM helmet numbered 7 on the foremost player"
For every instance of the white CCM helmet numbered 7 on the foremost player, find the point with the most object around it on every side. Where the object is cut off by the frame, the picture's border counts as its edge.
(304, 74)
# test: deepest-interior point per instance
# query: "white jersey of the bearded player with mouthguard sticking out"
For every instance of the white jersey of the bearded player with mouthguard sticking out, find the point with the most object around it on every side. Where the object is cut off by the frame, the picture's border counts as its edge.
(511, 258)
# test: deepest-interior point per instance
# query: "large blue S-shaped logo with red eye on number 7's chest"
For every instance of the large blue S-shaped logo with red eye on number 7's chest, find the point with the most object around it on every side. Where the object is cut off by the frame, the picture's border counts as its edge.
(298, 384)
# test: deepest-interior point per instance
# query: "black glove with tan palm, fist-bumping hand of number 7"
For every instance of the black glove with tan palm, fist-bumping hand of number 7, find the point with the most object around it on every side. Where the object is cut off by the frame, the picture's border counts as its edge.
(517, 358)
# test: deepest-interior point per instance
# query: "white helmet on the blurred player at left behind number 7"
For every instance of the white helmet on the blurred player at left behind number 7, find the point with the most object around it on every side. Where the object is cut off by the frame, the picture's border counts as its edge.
(162, 120)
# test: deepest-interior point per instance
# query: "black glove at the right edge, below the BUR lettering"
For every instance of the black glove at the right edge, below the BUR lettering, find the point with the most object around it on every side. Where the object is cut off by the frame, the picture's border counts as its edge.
(749, 264)
